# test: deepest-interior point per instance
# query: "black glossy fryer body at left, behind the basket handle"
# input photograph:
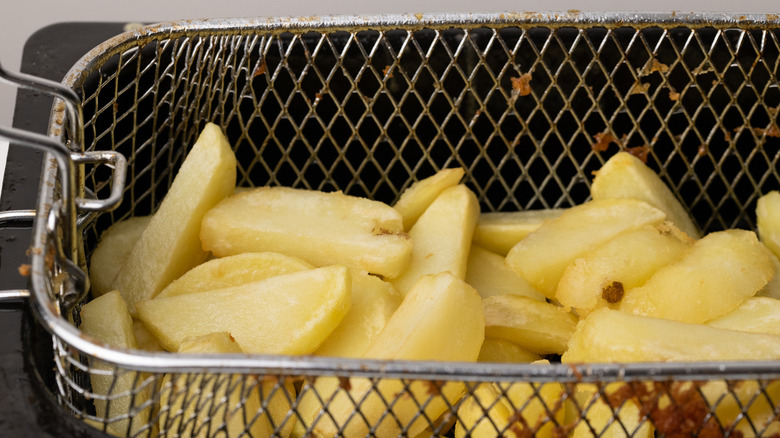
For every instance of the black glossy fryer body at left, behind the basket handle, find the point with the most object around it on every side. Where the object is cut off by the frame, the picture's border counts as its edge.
(27, 407)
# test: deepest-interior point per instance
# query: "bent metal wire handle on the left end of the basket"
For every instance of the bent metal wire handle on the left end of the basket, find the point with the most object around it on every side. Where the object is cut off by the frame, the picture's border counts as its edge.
(66, 156)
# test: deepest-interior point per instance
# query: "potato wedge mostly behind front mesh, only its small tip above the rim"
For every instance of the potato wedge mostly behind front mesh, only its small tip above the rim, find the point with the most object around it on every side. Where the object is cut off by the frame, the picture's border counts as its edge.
(186, 413)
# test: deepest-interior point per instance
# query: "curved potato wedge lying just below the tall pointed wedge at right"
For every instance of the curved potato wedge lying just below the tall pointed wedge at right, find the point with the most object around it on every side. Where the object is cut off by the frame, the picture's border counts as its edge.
(543, 256)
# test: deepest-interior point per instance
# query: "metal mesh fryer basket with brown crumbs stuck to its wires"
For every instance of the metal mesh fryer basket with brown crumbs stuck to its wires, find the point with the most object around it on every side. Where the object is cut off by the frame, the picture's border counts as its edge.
(529, 104)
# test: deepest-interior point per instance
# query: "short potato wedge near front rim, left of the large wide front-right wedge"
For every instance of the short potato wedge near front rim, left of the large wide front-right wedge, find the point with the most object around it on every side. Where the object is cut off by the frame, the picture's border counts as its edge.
(537, 326)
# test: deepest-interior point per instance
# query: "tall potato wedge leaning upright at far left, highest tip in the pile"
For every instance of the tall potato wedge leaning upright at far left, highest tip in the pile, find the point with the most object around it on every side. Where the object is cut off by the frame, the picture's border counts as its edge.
(170, 246)
